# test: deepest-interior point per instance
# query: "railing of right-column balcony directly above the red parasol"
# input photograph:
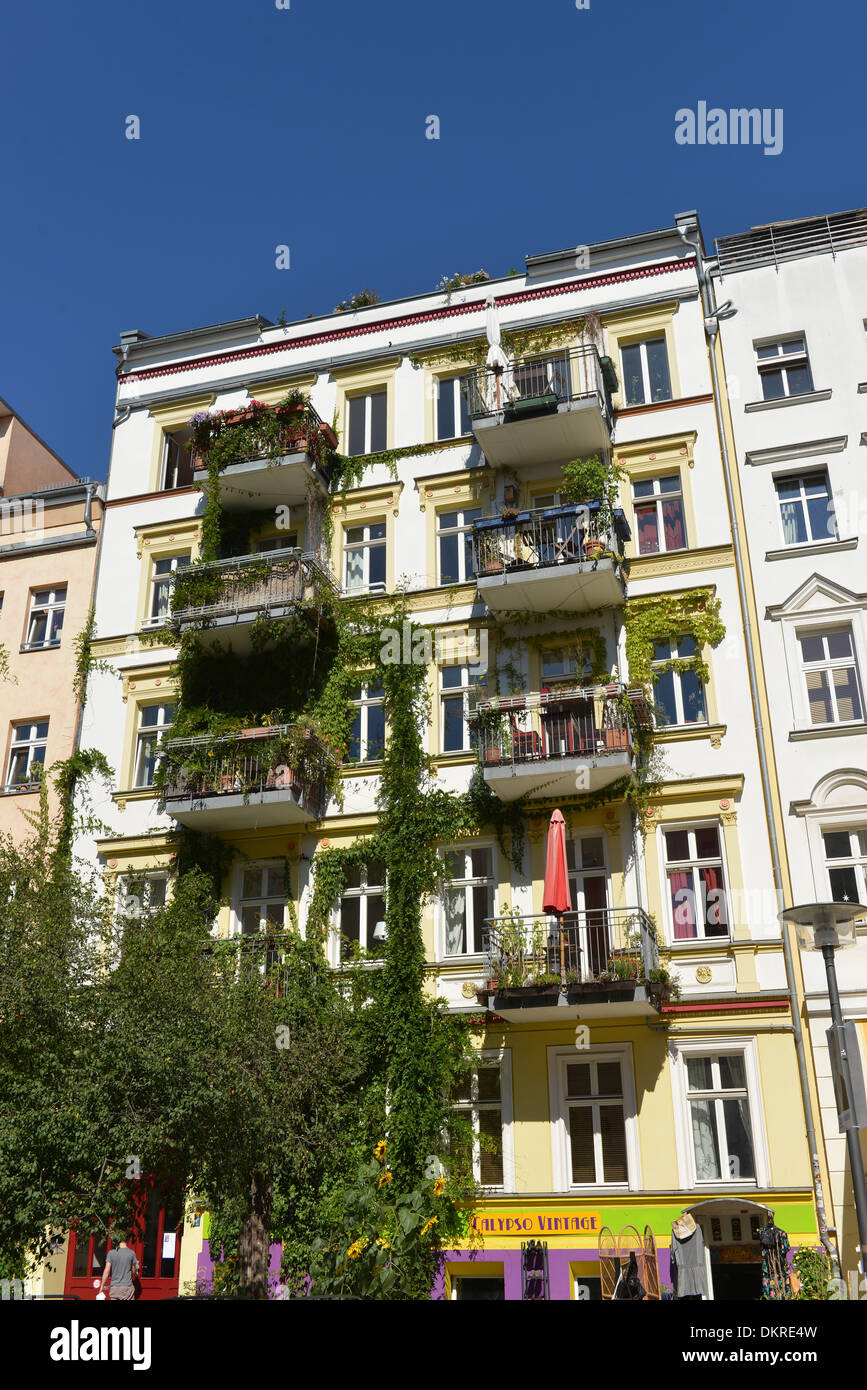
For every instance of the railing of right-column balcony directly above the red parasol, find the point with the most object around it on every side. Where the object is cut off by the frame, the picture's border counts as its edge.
(581, 723)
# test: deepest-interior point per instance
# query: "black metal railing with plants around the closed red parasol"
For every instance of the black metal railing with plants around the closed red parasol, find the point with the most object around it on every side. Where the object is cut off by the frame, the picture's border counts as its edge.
(600, 946)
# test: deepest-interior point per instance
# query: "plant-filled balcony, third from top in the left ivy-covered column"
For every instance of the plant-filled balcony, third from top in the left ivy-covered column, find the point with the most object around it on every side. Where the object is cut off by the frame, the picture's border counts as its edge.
(254, 779)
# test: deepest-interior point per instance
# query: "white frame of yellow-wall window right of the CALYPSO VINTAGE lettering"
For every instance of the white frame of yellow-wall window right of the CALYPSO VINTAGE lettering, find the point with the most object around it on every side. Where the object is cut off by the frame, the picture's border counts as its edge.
(748, 1049)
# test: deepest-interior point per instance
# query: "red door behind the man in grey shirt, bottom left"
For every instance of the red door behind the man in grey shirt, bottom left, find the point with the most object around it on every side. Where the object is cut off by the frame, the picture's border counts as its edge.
(156, 1228)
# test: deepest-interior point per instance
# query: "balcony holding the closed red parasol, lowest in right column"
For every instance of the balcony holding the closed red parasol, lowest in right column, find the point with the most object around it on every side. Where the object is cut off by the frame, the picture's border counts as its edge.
(594, 964)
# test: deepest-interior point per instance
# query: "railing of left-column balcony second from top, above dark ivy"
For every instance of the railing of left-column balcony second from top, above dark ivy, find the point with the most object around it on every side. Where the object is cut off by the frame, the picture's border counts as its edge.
(248, 584)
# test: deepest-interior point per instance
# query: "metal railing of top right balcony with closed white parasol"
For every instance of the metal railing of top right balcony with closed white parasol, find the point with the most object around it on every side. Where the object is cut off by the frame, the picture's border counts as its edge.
(534, 384)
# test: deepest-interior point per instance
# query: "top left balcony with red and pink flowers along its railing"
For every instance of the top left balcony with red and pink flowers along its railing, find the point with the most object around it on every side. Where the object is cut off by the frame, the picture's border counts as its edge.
(254, 480)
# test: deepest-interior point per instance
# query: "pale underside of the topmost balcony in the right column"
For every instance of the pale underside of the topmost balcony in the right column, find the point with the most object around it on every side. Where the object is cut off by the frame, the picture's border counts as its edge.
(575, 430)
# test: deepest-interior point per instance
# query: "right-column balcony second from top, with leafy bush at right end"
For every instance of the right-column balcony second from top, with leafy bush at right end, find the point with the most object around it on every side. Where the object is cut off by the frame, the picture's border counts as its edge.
(552, 559)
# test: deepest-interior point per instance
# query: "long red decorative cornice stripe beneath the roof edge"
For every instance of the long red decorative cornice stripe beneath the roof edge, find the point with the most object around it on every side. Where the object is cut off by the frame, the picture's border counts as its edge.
(406, 320)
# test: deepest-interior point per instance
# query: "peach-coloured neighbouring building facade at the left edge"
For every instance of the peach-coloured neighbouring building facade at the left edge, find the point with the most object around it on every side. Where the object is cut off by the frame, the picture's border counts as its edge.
(49, 533)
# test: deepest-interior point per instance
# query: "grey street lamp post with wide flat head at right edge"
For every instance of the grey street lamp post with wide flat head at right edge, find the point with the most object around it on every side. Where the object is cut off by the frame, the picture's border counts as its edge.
(830, 928)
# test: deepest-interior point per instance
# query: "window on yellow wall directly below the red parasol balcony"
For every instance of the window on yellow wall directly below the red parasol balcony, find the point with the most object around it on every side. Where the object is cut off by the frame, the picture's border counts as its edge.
(595, 1121)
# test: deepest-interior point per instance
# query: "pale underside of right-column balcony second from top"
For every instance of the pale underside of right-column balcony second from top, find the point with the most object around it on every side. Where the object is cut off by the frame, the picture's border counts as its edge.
(575, 587)
